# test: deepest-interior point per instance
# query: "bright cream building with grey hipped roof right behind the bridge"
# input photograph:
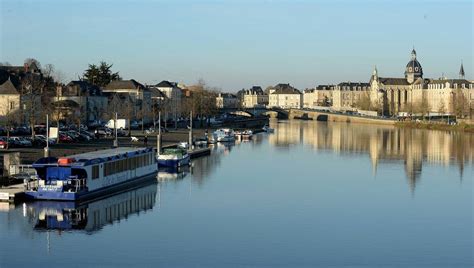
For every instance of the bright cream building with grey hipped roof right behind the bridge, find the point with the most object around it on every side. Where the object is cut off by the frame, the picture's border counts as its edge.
(285, 96)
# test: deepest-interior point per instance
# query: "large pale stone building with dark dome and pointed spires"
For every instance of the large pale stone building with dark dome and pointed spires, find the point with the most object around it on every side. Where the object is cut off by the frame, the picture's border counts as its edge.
(414, 94)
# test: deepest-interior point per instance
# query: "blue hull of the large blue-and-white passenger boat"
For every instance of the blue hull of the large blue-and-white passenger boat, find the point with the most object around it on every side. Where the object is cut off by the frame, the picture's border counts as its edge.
(87, 195)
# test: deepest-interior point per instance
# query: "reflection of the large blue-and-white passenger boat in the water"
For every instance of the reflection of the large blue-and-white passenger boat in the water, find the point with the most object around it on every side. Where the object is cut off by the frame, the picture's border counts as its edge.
(93, 215)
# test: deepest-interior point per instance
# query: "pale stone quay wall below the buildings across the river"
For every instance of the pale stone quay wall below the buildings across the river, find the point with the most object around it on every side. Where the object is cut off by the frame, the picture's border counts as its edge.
(334, 117)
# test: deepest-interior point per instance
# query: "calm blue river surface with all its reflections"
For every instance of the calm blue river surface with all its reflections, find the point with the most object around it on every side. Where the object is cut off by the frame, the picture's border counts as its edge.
(311, 194)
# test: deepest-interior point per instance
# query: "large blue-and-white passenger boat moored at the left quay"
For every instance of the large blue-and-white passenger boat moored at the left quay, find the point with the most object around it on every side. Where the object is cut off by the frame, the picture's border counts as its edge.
(90, 175)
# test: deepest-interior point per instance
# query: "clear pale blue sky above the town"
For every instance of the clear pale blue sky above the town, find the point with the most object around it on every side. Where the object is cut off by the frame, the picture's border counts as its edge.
(237, 44)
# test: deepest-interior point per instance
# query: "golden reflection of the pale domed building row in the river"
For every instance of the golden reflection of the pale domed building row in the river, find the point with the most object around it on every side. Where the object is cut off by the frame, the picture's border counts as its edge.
(382, 143)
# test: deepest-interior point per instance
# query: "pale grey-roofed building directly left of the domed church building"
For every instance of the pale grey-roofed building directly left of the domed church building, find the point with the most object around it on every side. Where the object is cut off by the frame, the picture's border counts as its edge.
(348, 95)
